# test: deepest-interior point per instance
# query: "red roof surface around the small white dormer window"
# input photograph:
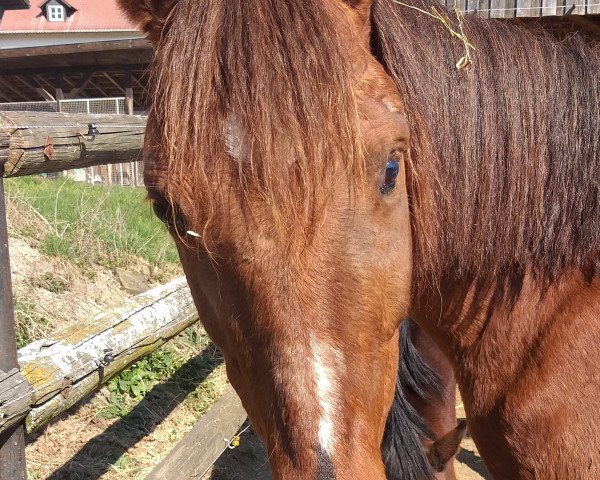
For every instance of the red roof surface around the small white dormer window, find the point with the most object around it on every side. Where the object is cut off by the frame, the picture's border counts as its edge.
(89, 16)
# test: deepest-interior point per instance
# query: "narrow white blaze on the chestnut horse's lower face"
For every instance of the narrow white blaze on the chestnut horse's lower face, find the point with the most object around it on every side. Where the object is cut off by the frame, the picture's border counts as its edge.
(325, 361)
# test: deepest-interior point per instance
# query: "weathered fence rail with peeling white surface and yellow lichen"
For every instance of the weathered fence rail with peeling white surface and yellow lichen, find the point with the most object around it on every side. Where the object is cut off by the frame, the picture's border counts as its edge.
(75, 361)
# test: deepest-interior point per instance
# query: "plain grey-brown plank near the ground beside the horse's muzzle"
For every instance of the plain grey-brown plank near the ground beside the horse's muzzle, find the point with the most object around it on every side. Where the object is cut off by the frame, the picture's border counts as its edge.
(203, 445)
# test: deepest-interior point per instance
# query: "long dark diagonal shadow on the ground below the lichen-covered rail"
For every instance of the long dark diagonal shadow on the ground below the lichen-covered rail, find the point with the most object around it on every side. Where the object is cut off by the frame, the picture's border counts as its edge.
(110, 445)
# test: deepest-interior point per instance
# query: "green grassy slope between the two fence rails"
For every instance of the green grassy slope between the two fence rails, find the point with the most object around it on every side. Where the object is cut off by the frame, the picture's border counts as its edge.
(83, 223)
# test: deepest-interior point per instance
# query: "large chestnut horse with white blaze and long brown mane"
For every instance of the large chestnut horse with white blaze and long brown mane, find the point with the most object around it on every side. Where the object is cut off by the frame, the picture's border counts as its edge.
(326, 170)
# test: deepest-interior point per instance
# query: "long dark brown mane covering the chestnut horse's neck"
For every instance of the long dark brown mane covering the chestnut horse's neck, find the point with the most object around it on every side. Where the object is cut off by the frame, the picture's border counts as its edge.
(505, 173)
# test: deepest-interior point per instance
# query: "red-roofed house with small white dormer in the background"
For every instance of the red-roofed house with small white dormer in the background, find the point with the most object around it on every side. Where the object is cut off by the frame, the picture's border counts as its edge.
(60, 22)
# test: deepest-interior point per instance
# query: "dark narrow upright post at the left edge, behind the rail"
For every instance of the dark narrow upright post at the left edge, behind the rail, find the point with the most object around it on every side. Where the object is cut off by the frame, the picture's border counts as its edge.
(12, 443)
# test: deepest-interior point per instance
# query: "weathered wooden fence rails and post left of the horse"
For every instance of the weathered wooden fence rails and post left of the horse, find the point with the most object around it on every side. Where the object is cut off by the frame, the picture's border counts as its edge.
(49, 376)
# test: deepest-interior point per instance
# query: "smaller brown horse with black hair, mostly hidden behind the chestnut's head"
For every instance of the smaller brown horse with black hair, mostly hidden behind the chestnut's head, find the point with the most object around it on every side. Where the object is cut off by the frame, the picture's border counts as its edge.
(423, 413)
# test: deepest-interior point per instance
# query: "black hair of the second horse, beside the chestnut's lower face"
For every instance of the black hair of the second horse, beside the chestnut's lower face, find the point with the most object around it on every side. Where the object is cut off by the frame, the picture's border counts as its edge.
(401, 448)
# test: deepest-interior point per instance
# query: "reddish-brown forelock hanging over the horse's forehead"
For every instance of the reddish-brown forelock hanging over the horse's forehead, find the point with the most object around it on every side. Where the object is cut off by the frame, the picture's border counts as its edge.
(278, 70)
